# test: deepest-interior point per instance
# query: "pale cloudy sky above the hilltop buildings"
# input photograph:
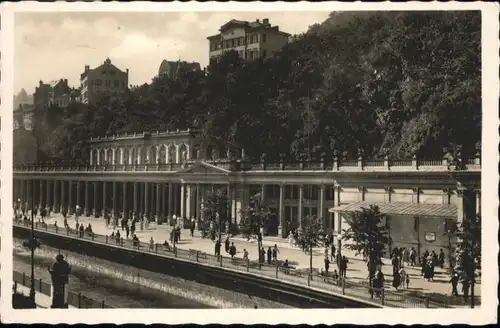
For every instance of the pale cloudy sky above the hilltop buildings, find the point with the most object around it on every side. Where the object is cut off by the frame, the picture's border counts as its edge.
(51, 46)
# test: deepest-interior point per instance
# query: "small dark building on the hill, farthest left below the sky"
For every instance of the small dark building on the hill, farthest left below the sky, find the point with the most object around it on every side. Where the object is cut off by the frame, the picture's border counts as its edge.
(53, 93)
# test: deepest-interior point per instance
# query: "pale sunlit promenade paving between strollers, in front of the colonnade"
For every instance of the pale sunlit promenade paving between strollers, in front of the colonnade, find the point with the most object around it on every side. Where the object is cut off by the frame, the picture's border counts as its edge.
(356, 268)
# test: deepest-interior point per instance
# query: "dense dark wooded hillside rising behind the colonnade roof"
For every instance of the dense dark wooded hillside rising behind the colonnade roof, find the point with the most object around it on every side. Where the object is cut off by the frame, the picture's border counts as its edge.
(371, 84)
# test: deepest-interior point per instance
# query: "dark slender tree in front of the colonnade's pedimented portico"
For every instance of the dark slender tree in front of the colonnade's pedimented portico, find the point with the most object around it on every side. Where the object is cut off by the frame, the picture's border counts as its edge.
(215, 209)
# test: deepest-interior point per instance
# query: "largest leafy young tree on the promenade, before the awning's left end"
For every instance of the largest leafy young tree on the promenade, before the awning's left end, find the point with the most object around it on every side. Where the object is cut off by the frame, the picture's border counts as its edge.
(367, 233)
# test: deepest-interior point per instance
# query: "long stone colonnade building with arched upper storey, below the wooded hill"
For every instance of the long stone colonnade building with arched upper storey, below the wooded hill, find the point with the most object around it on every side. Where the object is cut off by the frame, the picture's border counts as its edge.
(168, 173)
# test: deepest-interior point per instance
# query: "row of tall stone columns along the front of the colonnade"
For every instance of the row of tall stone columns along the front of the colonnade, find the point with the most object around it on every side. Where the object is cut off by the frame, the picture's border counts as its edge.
(158, 200)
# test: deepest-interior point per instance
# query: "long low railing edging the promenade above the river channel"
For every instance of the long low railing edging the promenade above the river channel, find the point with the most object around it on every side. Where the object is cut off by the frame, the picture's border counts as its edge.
(341, 287)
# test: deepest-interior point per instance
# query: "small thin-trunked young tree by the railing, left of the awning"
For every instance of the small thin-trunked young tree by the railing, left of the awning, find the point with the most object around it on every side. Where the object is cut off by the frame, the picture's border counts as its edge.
(311, 234)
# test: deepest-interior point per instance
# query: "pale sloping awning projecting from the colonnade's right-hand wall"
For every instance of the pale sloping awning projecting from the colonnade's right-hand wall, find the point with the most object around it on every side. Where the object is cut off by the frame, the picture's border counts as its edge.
(403, 209)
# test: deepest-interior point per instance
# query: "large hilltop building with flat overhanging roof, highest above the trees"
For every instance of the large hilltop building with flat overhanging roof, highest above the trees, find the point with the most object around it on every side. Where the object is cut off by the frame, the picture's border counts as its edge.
(251, 40)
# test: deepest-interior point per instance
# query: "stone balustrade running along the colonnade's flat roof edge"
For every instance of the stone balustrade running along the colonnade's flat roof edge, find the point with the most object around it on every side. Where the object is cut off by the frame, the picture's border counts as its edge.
(337, 165)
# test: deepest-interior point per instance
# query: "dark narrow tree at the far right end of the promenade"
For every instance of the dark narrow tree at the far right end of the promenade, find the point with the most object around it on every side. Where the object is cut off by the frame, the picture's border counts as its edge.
(469, 249)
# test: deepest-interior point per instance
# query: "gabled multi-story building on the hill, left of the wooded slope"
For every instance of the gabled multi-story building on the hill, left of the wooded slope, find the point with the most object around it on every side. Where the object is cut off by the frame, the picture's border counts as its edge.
(103, 80)
